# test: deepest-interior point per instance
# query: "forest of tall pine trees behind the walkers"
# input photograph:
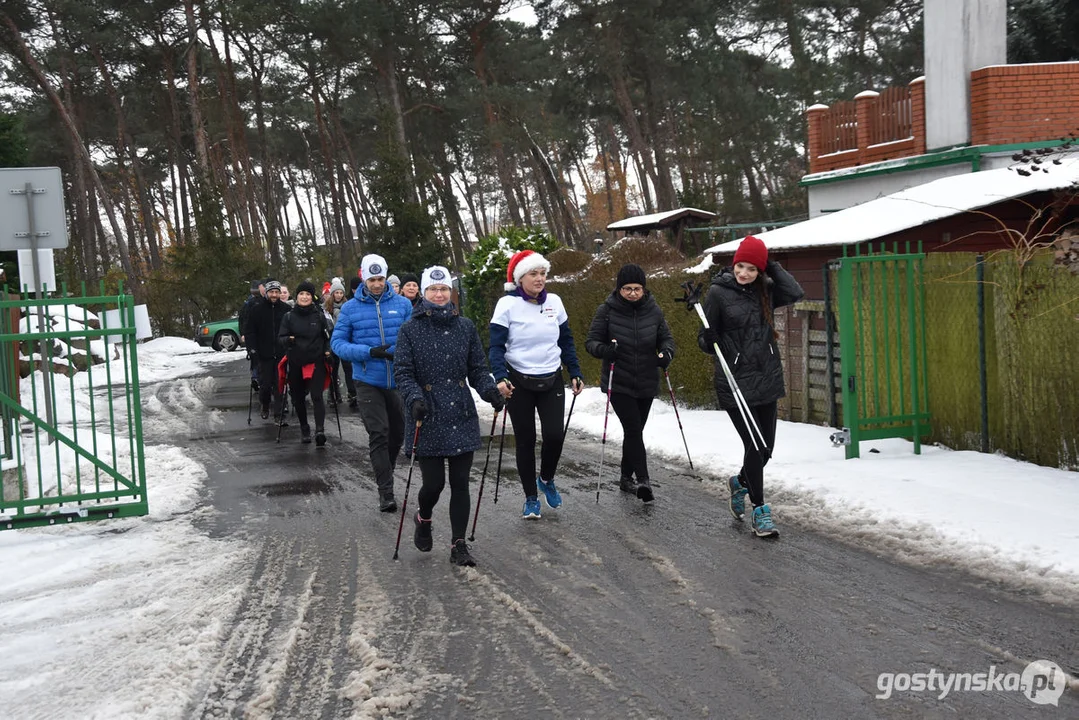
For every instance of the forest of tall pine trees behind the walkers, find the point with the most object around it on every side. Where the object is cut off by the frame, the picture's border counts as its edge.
(208, 143)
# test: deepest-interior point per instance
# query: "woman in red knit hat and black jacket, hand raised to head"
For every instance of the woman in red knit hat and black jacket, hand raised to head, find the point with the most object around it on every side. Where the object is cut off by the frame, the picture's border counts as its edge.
(740, 309)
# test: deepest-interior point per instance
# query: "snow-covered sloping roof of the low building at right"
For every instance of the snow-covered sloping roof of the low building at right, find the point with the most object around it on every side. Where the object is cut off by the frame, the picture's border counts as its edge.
(914, 208)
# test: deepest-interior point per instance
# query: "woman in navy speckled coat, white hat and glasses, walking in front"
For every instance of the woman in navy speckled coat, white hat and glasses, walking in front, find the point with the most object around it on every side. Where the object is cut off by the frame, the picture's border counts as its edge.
(439, 356)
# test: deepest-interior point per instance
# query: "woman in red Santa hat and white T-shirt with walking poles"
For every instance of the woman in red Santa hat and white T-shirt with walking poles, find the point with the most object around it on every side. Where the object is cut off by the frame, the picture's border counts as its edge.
(530, 343)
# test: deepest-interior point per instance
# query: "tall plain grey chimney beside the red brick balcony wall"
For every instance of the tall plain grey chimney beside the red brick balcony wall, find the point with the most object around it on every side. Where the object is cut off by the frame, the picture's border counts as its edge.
(961, 36)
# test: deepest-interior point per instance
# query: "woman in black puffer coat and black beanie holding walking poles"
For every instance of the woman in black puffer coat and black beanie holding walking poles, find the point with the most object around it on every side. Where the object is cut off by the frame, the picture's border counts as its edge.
(630, 330)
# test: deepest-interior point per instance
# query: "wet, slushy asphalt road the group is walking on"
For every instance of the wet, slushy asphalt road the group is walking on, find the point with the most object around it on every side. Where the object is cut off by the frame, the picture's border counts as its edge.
(598, 610)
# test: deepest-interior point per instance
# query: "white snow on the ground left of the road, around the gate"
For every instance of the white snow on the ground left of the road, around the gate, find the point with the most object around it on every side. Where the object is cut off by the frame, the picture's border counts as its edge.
(126, 616)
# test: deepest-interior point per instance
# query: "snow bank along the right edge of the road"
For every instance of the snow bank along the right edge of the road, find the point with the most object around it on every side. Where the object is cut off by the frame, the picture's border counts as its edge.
(944, 507)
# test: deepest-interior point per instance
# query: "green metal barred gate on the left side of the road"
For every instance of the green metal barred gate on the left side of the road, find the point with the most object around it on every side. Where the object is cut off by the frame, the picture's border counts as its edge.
(73, 434)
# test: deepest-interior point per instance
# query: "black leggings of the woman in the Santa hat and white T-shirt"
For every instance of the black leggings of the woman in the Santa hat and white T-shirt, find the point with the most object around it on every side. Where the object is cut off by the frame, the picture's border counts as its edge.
(523, 407)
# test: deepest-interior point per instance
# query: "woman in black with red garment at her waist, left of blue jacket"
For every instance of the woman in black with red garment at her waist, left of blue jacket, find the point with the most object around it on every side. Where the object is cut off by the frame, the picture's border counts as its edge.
(305, 335)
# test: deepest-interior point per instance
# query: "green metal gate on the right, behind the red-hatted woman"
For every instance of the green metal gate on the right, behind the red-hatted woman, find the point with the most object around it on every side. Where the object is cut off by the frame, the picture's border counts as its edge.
(883, 346)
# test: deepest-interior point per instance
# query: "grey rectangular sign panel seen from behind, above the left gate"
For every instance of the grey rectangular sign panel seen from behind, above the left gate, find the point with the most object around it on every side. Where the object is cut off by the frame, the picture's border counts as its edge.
(46, 202)
